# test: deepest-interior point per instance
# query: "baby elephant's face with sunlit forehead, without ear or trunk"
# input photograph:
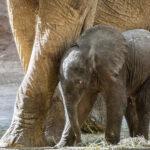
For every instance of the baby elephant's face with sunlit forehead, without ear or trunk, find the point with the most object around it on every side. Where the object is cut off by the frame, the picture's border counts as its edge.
(74, 73)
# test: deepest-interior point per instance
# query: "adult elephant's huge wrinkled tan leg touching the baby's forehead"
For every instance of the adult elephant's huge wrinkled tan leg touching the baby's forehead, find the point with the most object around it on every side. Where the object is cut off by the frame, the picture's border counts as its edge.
(59, 24)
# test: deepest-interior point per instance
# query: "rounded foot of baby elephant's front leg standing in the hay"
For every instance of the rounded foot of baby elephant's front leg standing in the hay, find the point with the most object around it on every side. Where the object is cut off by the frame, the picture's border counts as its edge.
(112, 138)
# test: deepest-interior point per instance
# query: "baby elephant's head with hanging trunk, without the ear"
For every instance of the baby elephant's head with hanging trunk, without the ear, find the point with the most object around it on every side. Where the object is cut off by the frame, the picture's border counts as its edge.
(74, 82)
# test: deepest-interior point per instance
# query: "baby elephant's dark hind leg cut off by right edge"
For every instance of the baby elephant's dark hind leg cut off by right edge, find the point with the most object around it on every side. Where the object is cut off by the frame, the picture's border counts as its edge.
(143, 109)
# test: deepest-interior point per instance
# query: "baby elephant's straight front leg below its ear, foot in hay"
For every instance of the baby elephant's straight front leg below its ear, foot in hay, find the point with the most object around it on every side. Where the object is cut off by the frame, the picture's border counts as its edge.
(116, 104)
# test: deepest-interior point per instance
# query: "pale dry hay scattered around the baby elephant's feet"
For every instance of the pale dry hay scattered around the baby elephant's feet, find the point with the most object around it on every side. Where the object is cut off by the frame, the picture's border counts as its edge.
(99, 142)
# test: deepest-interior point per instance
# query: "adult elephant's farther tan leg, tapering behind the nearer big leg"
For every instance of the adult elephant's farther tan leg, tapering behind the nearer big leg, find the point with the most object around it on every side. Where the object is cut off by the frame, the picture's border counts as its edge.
(22, 14)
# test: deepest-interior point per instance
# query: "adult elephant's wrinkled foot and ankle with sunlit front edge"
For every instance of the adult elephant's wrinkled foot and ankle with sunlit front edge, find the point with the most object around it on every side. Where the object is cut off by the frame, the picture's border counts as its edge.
(24, 131)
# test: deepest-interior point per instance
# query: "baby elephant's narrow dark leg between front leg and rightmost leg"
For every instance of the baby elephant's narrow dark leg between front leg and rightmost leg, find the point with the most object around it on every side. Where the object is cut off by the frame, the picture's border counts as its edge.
(131, 117)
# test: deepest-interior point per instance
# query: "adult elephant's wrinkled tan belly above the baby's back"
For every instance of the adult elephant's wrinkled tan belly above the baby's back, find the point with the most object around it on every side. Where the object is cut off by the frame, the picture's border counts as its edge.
(123, 14)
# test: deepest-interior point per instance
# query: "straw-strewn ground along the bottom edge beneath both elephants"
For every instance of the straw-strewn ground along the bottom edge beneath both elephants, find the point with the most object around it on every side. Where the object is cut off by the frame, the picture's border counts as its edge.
(97, 142)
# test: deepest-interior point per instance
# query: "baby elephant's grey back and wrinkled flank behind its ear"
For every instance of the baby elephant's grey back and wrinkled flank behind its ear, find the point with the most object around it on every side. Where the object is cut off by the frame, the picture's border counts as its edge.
(138, 55)
